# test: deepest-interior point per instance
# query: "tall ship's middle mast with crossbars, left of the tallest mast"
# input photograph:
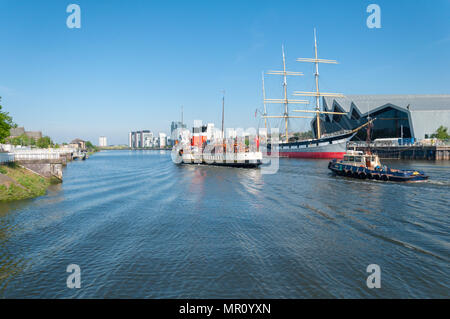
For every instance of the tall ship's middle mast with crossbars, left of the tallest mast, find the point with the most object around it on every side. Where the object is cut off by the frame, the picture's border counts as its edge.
(285, 100)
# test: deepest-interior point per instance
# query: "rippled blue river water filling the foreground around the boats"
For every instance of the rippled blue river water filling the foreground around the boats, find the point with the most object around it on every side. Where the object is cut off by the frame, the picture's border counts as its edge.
(141, 227)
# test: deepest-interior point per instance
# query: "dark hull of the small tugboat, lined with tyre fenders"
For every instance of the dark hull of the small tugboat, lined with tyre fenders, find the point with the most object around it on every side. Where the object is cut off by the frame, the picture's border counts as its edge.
(376, 174)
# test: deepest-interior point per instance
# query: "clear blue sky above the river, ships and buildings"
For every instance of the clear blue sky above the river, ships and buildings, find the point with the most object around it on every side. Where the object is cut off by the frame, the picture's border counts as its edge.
(134, 63)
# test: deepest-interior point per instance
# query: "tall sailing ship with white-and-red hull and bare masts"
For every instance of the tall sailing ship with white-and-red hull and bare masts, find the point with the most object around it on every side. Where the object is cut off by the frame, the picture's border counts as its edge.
(324, 145)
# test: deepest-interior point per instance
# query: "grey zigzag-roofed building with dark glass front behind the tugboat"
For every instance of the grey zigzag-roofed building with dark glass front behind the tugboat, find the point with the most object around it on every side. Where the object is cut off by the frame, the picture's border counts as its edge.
(397, 116)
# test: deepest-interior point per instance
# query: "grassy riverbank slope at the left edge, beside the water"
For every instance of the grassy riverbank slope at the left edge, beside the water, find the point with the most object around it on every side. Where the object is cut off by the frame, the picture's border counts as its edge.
(17, 182)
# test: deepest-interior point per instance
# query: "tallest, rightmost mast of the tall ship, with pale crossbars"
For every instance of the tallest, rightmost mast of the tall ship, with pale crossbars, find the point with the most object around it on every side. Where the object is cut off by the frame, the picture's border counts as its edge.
(317, 94)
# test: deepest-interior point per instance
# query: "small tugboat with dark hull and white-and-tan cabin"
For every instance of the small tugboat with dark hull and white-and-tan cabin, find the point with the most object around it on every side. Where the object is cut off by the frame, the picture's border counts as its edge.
(365, 165)
